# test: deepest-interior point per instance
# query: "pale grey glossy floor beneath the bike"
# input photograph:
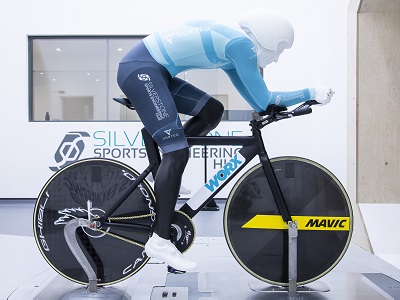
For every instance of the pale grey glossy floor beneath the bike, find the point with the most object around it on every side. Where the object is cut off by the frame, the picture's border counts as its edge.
(25, 275)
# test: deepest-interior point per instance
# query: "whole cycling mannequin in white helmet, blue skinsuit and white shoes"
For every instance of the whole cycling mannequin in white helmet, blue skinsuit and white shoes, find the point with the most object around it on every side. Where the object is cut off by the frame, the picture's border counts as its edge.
(147, 76)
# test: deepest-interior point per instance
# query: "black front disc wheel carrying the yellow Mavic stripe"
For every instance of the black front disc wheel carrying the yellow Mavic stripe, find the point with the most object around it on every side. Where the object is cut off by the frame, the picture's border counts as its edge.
(263, 252)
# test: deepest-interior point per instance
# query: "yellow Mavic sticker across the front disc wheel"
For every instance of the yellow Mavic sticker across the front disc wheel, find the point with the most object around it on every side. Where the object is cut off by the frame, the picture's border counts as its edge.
(303, 222)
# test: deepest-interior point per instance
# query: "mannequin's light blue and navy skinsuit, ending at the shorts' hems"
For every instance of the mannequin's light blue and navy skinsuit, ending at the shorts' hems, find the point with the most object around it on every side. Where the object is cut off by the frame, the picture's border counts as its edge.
(149, 70)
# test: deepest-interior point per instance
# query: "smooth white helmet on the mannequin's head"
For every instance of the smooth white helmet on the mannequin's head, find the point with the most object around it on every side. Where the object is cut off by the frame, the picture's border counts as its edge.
(269, 28)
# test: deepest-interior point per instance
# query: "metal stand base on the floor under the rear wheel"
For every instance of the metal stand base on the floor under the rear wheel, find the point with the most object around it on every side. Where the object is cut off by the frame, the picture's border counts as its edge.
(108, 293)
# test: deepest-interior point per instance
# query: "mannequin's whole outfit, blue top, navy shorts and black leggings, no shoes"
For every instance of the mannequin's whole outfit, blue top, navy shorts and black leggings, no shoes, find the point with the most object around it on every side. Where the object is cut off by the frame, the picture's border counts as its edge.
(147, 73)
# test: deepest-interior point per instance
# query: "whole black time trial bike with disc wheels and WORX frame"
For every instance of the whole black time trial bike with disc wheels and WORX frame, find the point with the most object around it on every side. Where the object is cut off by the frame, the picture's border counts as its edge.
(263, 202)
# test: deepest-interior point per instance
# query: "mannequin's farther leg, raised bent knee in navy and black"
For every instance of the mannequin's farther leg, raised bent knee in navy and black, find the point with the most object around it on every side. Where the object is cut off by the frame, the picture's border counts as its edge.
(206, 111)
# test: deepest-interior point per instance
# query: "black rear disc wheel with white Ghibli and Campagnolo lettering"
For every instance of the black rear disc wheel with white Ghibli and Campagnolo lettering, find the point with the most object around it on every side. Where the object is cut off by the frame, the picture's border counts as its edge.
(112, 254)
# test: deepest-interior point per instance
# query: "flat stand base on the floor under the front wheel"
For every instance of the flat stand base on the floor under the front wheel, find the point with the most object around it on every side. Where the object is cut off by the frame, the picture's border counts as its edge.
(313, 287)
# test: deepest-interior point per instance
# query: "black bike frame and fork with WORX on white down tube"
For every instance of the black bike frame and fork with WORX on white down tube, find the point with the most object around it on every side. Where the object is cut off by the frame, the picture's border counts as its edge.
(251, 146)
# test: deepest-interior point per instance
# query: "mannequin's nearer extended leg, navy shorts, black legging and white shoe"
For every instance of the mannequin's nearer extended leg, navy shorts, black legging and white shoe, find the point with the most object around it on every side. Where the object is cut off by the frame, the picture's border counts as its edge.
(147, 88)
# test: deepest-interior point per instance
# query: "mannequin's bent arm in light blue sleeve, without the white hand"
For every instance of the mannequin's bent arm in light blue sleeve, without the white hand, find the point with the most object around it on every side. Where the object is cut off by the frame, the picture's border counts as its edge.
(250, 84)
